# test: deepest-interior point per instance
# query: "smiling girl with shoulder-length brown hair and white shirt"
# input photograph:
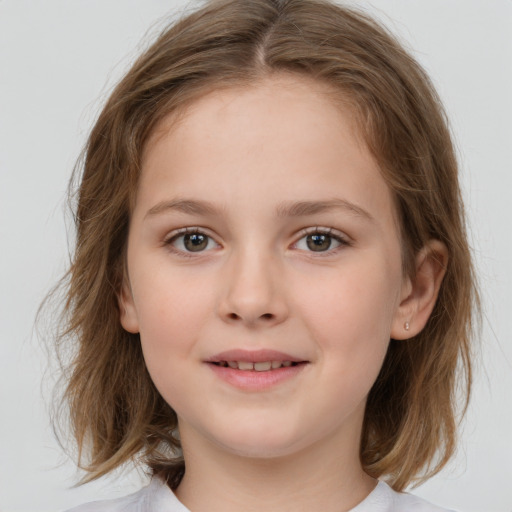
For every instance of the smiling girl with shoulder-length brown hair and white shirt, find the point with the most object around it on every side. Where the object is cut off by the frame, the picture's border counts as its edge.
(271, 292)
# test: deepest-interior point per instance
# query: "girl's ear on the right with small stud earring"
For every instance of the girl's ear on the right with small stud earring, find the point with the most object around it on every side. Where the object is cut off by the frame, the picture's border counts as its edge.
(419, 293)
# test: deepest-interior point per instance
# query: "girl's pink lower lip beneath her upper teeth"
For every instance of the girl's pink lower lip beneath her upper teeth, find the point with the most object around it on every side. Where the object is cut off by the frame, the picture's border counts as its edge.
(251, 380)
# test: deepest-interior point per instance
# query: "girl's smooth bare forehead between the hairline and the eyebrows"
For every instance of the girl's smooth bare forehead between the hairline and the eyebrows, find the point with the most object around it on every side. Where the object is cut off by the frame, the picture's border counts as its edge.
(283, 138)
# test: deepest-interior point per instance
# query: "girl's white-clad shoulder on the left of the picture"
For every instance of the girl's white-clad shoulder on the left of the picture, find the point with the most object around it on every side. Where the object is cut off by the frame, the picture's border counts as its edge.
(156, 497)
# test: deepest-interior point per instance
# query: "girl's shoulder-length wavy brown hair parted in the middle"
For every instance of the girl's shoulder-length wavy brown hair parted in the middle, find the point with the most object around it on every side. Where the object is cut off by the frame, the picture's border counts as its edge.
(410, 422)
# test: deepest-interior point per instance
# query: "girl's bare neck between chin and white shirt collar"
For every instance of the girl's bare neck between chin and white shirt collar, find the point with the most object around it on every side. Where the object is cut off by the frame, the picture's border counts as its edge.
(316, 478)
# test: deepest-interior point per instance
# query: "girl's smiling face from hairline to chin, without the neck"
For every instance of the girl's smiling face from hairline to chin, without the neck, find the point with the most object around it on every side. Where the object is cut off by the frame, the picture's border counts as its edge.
(292, 246)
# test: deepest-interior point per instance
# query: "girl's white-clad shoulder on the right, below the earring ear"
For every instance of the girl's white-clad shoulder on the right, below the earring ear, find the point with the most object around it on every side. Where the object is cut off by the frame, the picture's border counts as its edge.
(385, 499)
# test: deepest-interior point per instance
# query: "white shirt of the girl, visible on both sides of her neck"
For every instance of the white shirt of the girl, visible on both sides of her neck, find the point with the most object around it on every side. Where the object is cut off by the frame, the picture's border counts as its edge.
(157, 497)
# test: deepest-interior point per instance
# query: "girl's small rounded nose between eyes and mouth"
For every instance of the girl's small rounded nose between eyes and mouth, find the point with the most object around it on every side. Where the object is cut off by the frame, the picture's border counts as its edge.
(253, 291)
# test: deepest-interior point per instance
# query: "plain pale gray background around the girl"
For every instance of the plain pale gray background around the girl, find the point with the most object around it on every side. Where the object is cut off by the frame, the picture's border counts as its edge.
(58, 61)
